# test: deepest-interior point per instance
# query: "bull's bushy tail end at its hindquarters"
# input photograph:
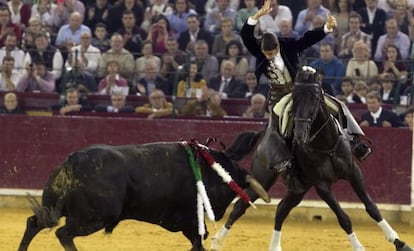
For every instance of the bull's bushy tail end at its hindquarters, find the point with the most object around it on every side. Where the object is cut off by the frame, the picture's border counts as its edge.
(46, 217)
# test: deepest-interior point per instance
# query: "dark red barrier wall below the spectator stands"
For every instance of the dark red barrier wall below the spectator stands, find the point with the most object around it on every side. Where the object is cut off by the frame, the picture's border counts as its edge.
(31, 147)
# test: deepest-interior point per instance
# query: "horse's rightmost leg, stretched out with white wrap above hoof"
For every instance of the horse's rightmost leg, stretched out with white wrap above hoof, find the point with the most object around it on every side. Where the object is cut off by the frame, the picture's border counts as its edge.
(358, 185)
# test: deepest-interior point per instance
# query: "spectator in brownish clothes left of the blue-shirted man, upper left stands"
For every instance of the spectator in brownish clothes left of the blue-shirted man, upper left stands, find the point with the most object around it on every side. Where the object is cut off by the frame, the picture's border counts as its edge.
(35, 27)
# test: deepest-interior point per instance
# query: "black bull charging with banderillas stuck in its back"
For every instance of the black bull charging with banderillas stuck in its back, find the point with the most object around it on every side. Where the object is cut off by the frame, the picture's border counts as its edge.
(97, 187)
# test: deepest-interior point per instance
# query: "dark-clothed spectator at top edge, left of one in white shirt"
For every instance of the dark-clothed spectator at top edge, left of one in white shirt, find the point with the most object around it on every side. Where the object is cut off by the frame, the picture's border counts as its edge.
(114, 18)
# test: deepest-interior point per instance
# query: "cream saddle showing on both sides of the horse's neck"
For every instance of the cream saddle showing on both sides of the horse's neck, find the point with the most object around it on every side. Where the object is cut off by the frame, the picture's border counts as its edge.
(283, 110)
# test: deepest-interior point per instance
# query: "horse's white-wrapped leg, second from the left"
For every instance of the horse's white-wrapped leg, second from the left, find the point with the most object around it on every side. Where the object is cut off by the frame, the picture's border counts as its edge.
(292, 199)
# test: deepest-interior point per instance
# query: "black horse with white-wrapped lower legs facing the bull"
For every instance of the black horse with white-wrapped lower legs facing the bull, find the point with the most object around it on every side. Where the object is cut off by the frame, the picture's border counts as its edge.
(321, 156)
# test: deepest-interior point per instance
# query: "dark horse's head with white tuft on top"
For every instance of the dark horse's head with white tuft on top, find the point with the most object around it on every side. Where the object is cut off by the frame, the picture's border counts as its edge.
(307, 97)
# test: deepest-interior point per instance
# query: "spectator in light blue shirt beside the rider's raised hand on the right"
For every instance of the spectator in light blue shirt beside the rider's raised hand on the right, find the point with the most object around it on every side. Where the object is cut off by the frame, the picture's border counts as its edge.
(306, 16)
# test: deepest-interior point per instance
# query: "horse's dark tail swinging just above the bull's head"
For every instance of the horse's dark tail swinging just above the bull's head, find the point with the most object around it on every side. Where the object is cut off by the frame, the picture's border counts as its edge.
(243, 145)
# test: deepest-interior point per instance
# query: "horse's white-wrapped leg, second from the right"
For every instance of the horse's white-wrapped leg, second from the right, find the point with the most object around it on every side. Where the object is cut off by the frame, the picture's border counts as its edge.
(324, 191)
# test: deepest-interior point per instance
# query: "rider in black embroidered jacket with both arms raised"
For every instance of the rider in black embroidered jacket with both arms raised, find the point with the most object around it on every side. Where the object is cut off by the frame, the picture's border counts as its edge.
(278, 60)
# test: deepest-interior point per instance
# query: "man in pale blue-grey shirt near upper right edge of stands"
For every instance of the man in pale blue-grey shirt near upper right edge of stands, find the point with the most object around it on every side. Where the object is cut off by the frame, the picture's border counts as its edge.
(392, 36)
